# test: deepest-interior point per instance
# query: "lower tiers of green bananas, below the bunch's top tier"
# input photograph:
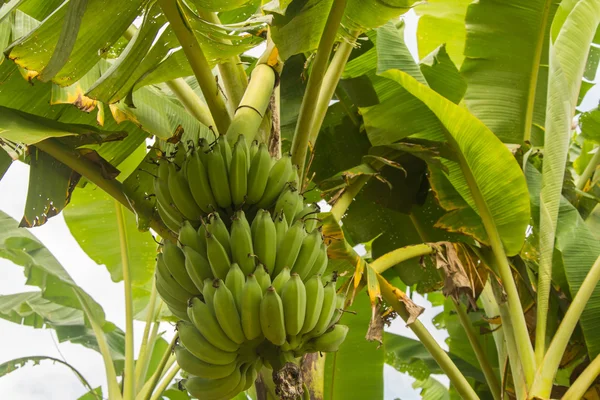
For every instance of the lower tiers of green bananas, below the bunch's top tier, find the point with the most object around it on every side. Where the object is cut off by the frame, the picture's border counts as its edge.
(247, 292)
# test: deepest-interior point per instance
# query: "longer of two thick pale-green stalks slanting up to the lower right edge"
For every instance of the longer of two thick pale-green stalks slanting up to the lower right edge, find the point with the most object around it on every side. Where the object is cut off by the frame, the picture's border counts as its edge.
(544, 378)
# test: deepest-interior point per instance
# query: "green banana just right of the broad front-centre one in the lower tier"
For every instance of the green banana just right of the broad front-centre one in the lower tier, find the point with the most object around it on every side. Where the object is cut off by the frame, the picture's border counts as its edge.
(293, 297)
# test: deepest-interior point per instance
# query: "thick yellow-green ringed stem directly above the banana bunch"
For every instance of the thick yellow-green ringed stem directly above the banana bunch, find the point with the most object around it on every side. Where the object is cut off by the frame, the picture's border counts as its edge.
(253, 105)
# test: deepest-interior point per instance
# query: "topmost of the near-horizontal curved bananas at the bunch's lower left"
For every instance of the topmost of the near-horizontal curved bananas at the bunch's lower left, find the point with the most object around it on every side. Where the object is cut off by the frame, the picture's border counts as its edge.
(195, 343)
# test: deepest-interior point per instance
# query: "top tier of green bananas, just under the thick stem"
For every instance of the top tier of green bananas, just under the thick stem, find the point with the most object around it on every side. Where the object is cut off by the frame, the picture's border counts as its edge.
(206, 178)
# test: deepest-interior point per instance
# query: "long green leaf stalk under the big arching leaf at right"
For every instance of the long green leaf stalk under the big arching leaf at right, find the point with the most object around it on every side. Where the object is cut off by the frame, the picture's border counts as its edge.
(517, 315)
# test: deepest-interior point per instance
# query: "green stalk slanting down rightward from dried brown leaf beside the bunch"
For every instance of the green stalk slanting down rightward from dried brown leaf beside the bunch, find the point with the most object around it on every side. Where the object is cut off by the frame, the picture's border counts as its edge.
(439, 355)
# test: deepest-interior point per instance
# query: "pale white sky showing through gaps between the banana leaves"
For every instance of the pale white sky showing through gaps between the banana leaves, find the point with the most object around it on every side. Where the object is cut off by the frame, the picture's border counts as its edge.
(51, 382)
